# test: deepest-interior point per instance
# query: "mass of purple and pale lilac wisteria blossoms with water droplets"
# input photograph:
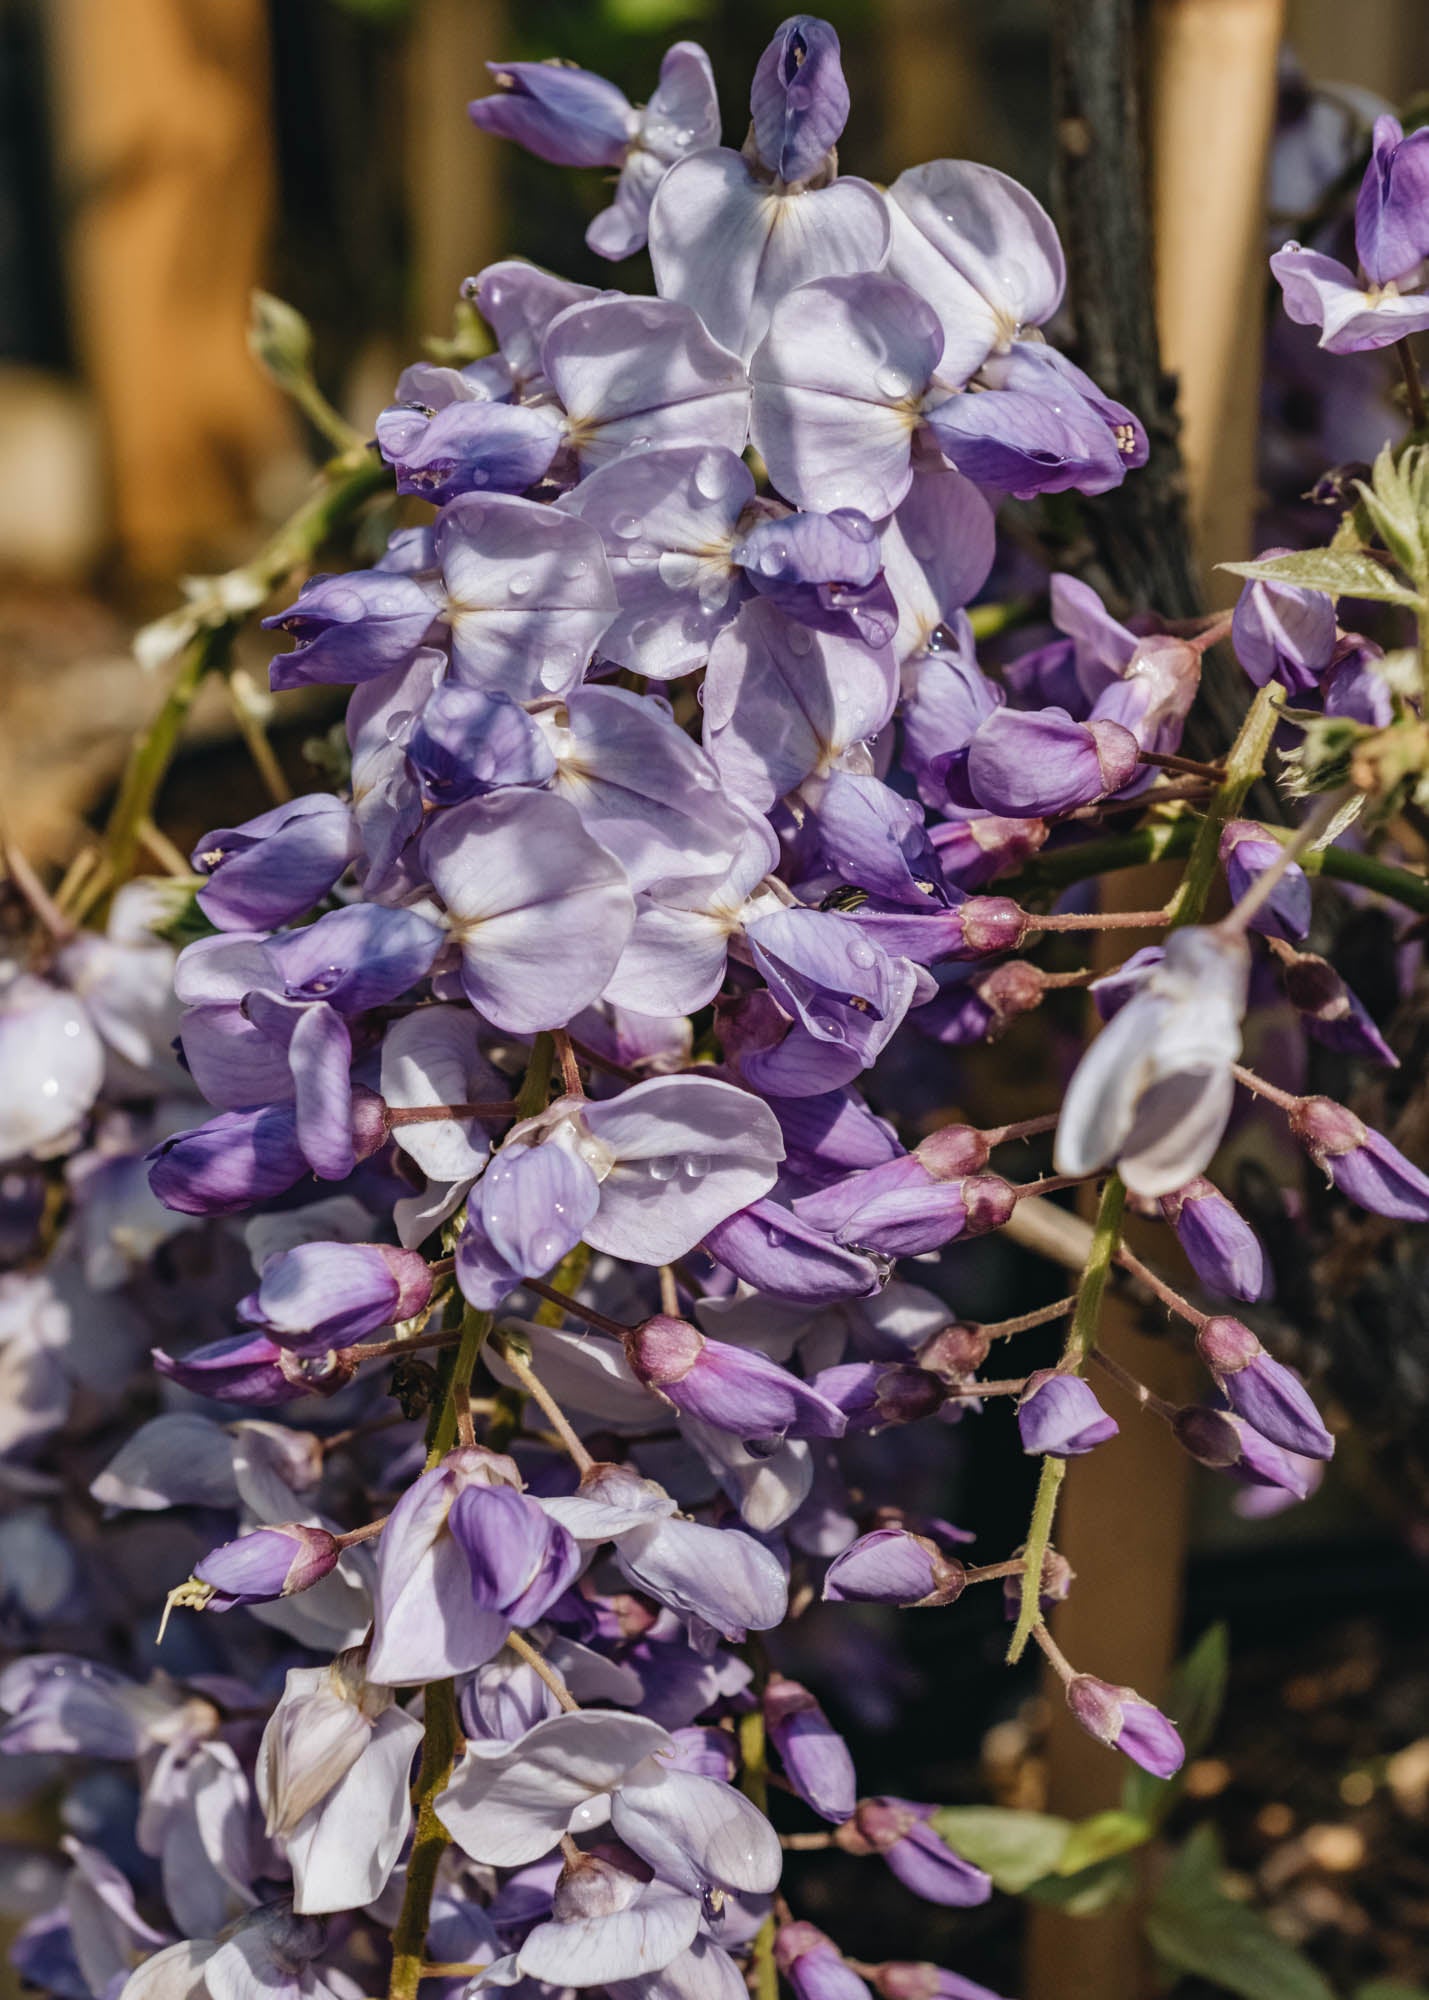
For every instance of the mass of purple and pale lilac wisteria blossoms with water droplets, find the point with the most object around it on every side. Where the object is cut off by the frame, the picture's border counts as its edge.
(535, 1293)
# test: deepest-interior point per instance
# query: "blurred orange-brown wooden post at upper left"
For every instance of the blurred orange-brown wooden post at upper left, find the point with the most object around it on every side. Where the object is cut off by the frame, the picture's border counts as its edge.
(165, 159)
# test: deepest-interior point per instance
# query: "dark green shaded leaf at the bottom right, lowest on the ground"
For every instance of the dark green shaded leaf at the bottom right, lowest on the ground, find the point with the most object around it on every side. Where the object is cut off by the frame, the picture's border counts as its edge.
(1196, 1927)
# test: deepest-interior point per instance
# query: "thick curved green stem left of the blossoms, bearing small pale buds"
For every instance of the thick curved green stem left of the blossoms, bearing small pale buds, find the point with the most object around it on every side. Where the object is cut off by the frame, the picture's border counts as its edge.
(347, 485)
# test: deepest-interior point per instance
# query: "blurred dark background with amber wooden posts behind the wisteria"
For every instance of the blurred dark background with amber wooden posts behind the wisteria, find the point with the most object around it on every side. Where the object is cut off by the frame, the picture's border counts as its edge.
(159, 159)
